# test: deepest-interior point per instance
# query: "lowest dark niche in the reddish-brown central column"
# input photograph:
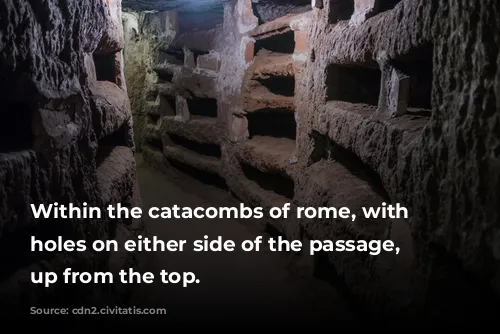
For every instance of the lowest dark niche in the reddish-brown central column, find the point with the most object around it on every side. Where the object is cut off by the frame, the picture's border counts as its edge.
(277, 183)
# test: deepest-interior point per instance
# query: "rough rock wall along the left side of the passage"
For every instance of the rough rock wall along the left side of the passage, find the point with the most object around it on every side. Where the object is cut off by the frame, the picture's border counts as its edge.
(66, 137)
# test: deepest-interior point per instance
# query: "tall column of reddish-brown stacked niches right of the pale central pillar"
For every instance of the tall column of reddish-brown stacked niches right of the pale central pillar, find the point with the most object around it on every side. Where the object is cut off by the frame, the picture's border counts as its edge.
(269, 100)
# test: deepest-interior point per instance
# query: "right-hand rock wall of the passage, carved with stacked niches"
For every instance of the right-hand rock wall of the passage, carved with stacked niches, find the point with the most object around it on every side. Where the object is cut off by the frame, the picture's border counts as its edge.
(352, 103)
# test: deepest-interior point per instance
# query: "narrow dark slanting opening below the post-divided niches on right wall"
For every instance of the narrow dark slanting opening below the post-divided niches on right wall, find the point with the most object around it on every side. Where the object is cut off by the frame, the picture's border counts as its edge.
(325, 148)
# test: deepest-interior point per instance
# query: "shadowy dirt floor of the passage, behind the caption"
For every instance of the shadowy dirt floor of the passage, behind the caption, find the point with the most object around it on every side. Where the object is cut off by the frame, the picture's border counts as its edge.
(234, 286)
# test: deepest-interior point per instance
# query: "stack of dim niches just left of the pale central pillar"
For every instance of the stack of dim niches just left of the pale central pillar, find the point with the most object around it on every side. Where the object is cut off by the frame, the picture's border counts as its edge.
(186, 136)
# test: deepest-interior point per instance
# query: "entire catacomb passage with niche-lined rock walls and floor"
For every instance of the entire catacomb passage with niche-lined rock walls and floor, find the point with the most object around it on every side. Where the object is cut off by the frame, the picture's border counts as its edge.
(332, 103)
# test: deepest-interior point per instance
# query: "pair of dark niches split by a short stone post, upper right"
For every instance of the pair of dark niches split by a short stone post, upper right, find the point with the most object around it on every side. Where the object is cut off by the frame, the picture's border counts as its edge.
(403, 86)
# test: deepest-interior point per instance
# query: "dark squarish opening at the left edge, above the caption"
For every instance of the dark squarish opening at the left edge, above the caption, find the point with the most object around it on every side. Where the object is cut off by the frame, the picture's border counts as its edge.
(16, 133)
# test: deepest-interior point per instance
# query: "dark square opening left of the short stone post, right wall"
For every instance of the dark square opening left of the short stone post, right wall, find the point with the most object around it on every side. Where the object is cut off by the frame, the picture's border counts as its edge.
(354, 84)
